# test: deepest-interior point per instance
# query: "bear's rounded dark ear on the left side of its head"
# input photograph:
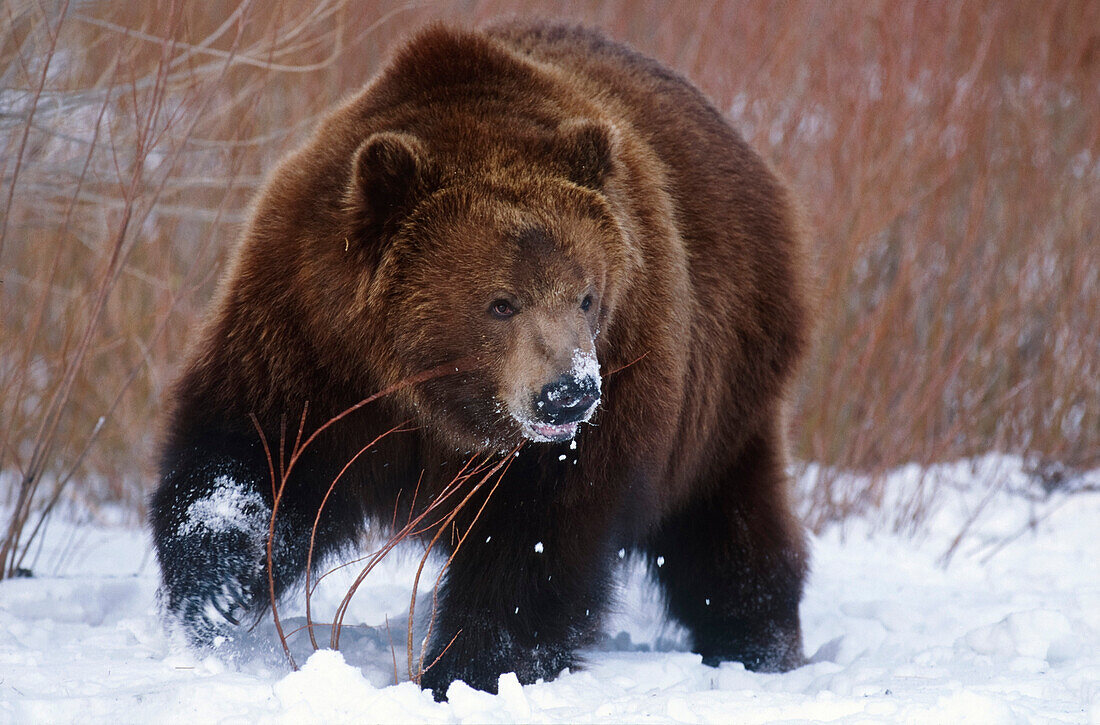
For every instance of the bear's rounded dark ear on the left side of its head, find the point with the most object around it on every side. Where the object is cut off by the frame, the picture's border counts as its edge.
(391, 174)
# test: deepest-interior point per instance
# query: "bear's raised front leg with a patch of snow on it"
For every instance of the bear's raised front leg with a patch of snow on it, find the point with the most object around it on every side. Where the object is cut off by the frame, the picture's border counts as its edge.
(211, 519)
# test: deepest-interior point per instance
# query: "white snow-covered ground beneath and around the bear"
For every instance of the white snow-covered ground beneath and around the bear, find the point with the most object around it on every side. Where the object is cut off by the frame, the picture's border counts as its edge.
(1008, 631)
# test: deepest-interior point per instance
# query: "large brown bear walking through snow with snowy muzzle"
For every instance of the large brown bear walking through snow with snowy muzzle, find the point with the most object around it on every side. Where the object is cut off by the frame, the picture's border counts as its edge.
(615, 279)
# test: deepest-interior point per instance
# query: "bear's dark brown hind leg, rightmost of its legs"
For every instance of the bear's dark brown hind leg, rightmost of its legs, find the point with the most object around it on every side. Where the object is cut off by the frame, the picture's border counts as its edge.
(732, 564)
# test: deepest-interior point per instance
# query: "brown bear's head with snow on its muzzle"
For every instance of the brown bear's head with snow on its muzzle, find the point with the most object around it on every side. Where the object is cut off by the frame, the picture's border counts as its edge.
(508, 276)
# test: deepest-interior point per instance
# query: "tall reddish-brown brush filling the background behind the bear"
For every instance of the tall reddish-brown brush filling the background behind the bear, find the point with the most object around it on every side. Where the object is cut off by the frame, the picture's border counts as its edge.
(948, 156)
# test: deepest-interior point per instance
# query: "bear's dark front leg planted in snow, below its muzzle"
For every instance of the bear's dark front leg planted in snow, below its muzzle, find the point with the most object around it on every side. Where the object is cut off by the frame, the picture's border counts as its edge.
(518, 598)
